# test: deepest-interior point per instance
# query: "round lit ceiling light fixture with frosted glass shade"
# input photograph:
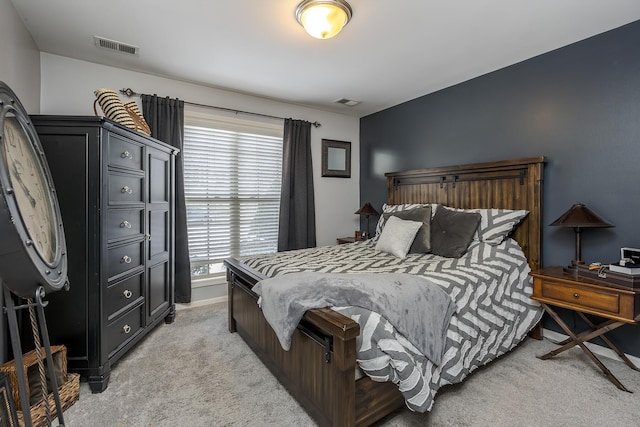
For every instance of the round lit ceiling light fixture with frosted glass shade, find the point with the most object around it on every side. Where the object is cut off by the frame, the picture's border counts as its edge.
(323, 19)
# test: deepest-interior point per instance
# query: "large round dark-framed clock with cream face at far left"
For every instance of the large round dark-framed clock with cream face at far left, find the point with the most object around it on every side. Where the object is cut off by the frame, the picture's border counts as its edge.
(32, 246)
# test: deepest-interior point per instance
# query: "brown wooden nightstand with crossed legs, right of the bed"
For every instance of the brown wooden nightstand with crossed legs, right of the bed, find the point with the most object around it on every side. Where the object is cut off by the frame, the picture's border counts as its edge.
(553, 286)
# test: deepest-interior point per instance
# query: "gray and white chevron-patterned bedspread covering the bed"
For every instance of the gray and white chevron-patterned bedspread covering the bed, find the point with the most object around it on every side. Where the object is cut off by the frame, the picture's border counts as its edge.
(489, 284)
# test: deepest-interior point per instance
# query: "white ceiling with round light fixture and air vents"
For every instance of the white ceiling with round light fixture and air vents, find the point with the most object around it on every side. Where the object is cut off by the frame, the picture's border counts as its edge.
(391, 51)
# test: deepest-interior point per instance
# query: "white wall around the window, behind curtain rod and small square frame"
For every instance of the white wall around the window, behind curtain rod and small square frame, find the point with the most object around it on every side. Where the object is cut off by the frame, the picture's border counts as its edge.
(68, 85)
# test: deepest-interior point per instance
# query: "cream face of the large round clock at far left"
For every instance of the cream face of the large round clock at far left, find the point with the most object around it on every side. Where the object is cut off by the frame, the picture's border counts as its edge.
(32, 194)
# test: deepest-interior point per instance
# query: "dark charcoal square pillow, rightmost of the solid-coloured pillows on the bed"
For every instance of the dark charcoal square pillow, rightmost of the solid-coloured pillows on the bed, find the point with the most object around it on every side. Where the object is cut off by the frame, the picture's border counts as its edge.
(452, 232)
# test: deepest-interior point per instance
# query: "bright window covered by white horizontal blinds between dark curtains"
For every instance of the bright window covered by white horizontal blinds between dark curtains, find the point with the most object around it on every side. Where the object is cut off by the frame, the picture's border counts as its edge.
(233, 172)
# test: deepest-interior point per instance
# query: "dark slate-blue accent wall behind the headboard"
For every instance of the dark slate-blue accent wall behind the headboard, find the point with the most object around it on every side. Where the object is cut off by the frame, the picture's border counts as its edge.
(579, 106)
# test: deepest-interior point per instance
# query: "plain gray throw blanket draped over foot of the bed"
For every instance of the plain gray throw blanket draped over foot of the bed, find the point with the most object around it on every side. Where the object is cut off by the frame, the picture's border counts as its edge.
(419, 309)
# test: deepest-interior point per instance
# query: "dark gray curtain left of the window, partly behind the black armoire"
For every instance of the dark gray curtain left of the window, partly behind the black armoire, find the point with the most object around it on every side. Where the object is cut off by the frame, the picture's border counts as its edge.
(165, 117)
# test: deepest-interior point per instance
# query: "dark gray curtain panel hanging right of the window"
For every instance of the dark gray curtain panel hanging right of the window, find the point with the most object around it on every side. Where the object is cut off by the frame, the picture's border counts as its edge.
(297, 228)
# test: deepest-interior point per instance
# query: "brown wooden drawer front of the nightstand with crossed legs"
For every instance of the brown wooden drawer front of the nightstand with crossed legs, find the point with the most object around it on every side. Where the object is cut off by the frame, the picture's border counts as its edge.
(594, 299)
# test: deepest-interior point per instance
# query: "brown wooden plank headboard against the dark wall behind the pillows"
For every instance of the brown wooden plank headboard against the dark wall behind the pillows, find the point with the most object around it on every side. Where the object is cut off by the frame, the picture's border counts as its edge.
(508, 184)
